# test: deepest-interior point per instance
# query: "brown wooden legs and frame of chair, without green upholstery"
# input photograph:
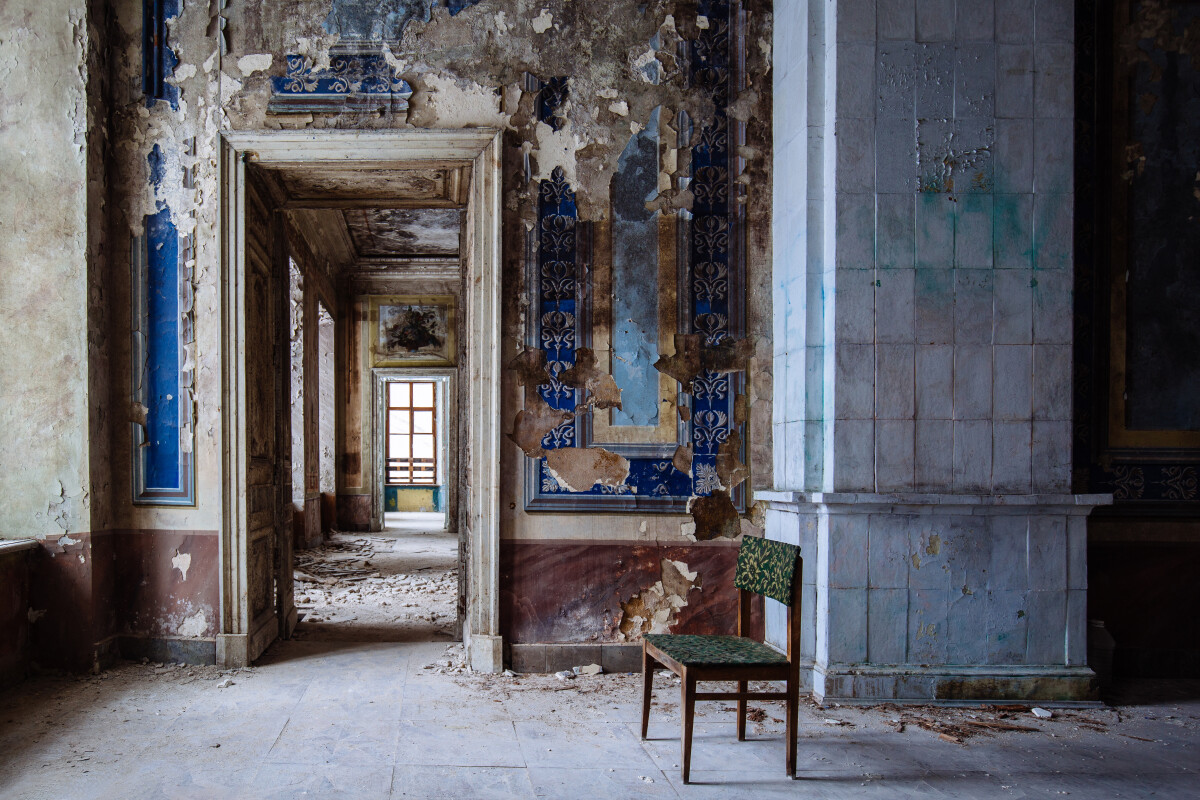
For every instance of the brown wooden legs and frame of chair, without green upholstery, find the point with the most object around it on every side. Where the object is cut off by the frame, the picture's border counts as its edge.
(655, 659)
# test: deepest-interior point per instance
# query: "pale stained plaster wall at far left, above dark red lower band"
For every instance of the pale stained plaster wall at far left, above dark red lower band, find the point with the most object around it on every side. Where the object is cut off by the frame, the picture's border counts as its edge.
(45, 146)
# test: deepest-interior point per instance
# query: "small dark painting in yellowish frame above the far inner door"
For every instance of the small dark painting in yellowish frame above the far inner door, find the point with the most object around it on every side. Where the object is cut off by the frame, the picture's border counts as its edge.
(412, 330)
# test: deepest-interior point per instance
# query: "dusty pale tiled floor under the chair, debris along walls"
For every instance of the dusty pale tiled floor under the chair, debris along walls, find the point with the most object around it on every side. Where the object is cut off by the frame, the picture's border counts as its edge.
(401, 720)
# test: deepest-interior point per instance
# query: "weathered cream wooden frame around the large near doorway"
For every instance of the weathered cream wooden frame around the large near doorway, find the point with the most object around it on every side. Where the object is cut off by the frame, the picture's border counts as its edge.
(479, 148)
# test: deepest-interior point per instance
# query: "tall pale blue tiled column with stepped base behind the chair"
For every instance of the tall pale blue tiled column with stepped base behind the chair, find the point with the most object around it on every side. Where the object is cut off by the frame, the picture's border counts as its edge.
(923, 302)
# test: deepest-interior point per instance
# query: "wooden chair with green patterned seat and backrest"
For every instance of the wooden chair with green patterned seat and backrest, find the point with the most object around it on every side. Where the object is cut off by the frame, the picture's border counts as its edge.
(767, 568)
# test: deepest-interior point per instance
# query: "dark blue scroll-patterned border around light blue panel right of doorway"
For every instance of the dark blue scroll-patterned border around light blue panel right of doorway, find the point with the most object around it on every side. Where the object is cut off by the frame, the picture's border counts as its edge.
(709, 261)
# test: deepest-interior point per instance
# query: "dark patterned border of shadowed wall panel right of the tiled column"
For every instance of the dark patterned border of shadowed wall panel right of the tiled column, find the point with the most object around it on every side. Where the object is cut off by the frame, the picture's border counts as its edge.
(1145, 467)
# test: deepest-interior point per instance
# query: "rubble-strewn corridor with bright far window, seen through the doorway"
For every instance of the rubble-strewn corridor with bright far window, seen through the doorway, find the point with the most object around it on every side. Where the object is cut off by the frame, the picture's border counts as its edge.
(397, 578)
